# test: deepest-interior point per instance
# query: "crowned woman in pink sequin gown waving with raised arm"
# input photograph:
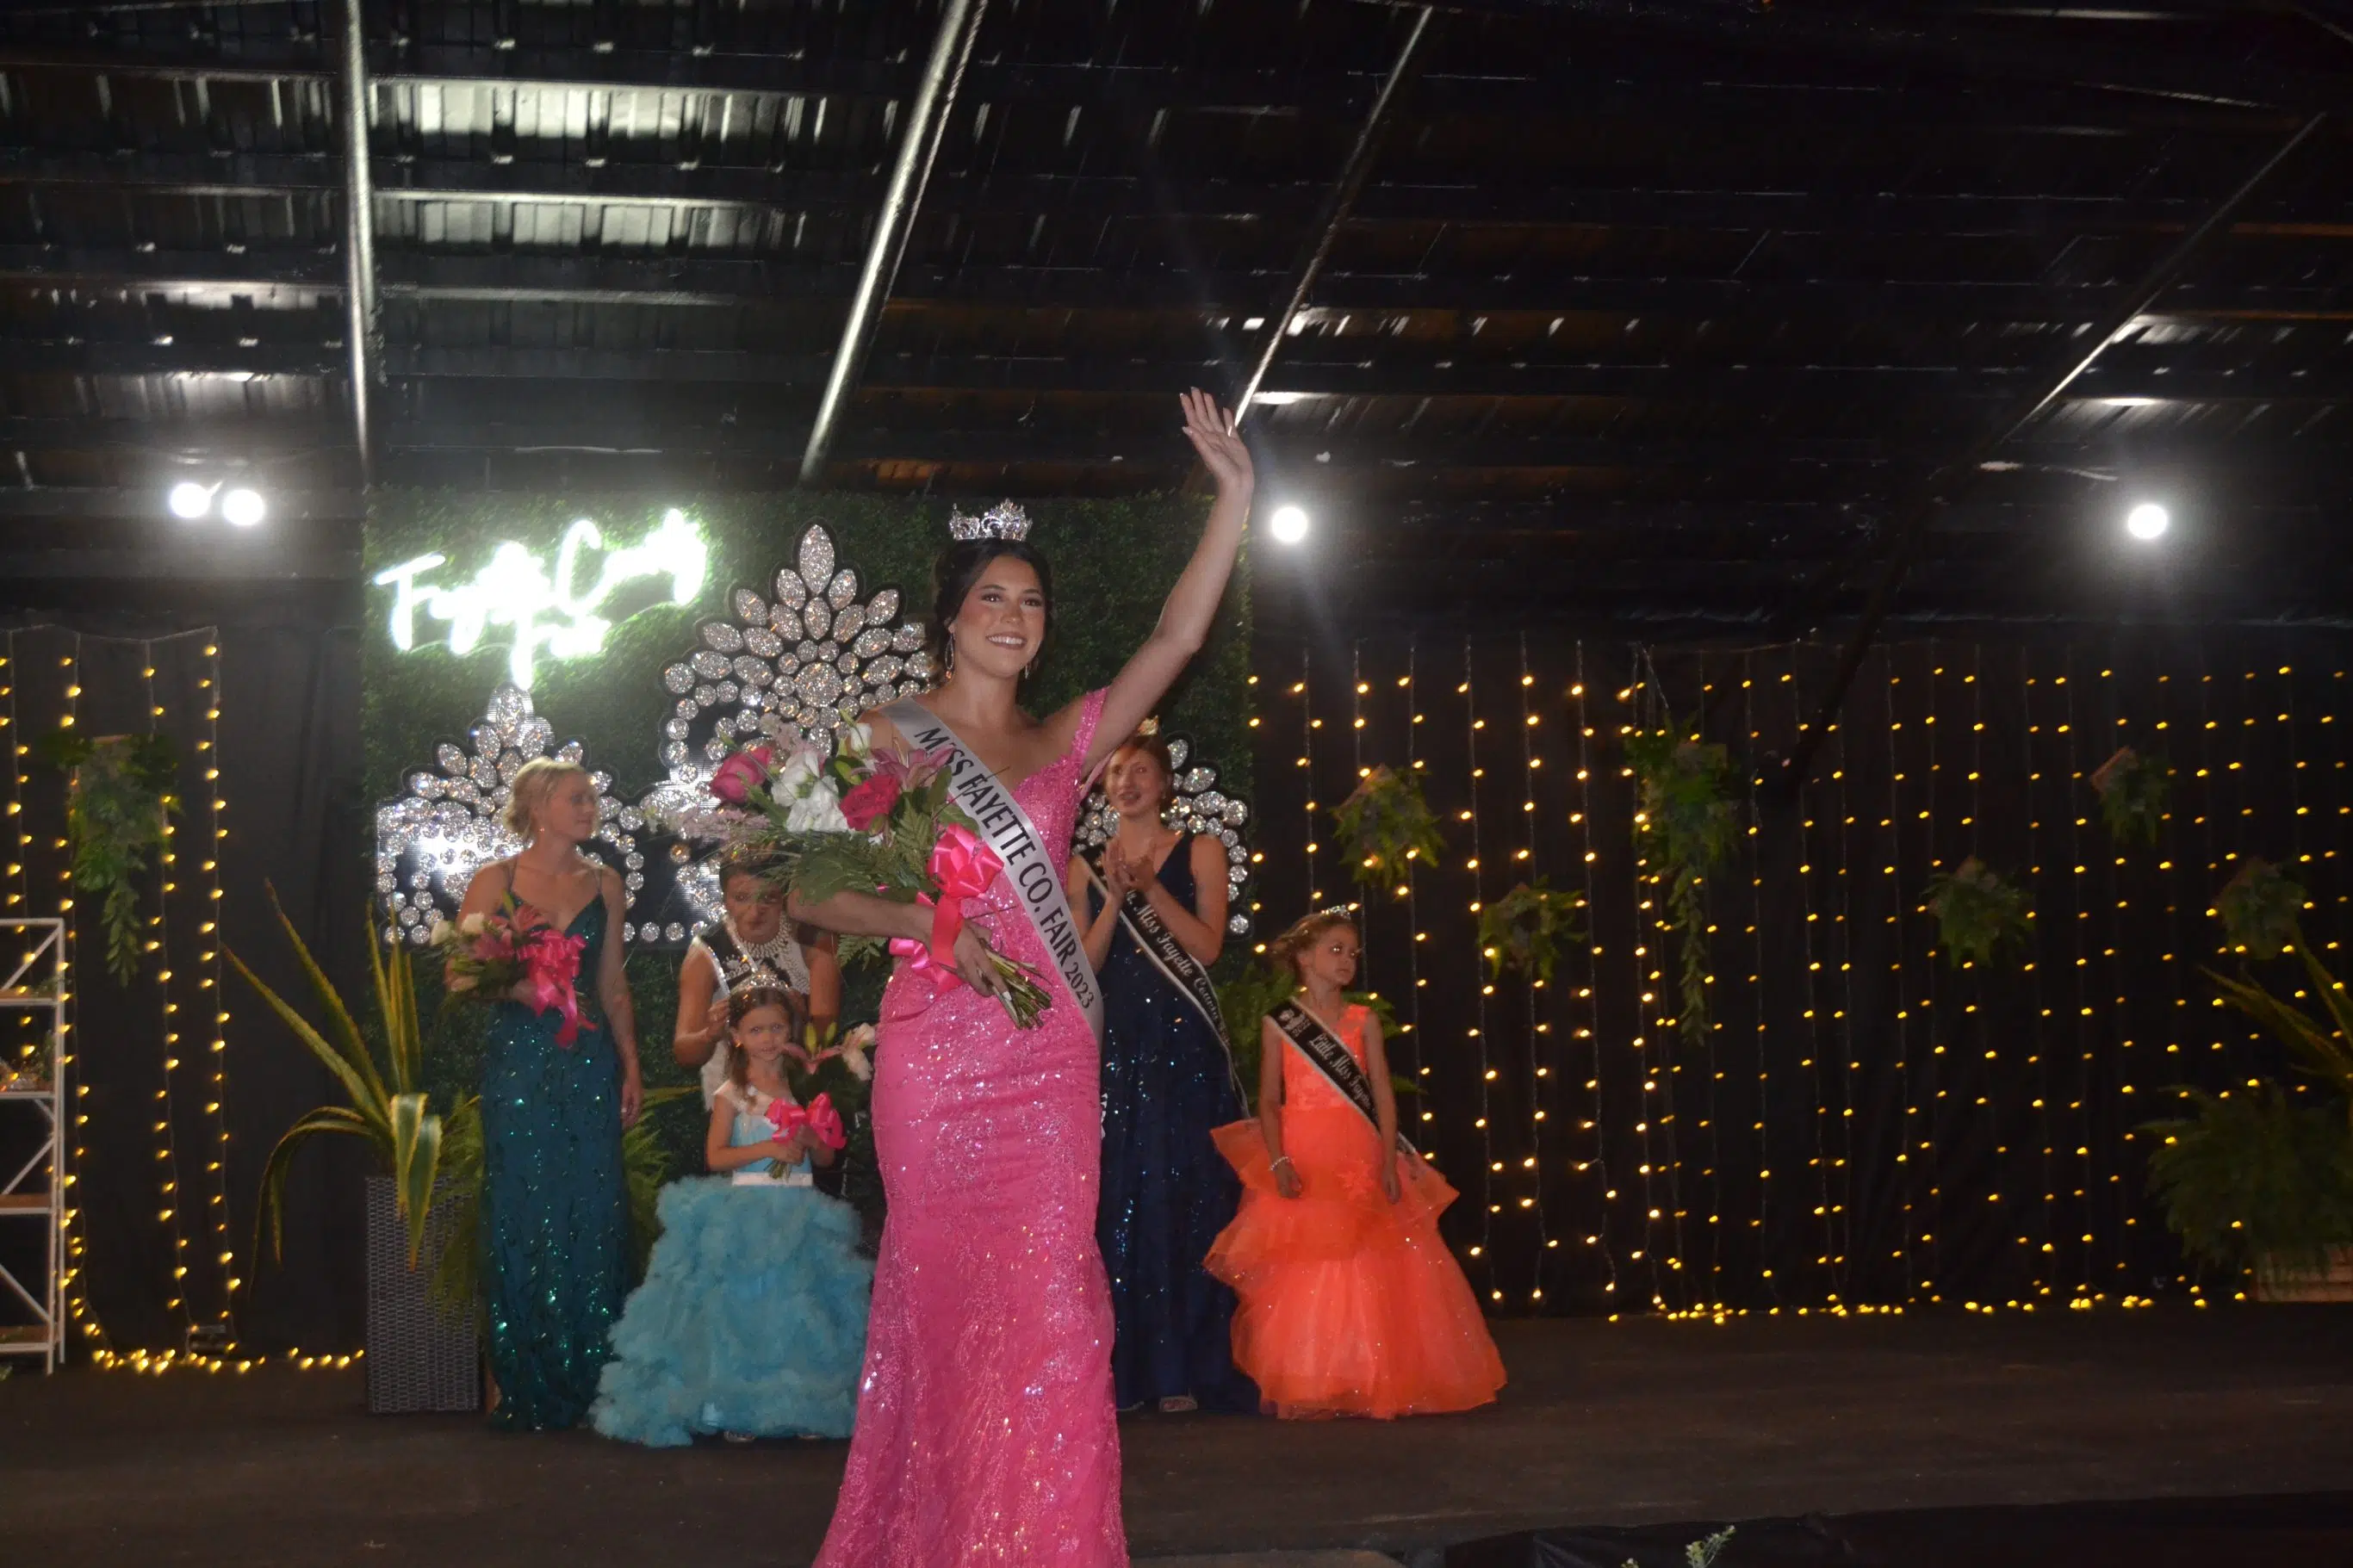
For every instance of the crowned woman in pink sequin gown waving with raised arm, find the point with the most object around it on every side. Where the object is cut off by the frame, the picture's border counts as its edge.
(987, 1428)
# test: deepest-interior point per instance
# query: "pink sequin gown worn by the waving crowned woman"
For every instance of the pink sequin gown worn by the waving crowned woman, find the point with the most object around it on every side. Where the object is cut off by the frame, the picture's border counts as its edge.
(987, 1428)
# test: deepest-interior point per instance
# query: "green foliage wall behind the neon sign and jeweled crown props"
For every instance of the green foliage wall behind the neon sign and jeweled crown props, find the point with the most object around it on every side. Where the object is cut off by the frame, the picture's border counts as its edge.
(1114, 563)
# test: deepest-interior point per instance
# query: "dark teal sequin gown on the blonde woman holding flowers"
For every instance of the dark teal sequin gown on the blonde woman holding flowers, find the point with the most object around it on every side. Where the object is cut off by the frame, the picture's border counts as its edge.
(554, 1202)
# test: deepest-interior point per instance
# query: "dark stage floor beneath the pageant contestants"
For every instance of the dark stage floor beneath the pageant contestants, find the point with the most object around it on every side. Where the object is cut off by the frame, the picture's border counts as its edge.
(1604, 1426)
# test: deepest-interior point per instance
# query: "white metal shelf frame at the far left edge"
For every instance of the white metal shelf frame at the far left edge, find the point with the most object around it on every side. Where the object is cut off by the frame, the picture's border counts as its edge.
(36, 1188)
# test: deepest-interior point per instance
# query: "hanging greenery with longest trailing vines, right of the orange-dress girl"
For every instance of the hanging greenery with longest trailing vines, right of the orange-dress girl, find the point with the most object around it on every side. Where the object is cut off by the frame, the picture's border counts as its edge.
(1686, 824)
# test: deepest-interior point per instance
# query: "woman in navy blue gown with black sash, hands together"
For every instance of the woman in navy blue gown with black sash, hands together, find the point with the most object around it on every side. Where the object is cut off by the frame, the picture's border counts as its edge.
(1168, 1080)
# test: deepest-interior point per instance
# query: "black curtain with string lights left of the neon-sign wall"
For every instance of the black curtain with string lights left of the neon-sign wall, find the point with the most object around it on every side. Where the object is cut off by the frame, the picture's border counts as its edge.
(288, 756)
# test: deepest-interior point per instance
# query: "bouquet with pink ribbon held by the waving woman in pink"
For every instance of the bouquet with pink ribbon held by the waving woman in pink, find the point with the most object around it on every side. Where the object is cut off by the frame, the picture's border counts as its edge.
(872, 822)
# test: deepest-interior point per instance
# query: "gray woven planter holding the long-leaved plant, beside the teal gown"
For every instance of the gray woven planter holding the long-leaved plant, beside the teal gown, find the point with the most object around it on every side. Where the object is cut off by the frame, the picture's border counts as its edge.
(420, 1358)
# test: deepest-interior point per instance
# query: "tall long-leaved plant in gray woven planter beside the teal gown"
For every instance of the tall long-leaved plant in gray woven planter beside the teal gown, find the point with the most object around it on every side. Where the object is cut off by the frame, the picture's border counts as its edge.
(420, 1351)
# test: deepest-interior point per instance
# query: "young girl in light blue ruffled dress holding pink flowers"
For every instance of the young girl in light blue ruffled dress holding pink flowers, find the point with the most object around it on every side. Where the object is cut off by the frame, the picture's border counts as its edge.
(752, 1320)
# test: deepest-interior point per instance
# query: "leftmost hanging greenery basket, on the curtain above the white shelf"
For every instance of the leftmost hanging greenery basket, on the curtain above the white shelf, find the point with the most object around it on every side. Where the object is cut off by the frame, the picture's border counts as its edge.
(116, 824)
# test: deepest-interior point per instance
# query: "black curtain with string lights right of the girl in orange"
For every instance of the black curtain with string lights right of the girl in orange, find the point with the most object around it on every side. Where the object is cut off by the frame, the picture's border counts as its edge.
(1862, 1125)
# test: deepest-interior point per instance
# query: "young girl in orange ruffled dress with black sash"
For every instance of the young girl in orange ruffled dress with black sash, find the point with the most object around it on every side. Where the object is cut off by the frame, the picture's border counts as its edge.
(1352, 1304)
